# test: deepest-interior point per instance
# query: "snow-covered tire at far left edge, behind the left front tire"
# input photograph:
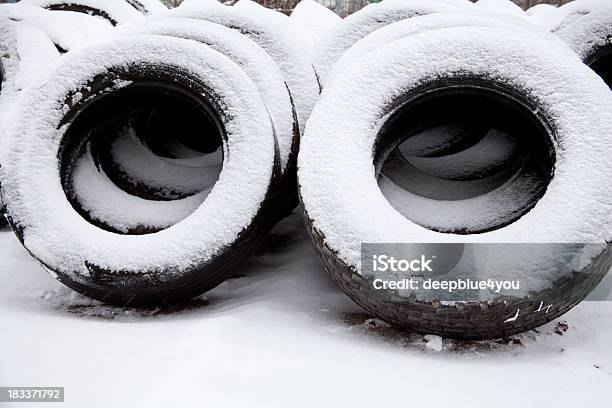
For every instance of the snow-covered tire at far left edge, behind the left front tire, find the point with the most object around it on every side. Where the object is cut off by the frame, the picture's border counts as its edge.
(24, 49)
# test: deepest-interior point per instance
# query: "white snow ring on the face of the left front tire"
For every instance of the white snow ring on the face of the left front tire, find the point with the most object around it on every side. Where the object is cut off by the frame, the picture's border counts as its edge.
(60, 238)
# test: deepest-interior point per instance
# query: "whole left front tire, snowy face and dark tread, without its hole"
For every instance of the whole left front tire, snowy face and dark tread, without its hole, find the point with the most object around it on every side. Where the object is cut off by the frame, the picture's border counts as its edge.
(158, 284)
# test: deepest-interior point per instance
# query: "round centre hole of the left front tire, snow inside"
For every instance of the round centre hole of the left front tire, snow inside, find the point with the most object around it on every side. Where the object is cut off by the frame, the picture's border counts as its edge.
(139, 159)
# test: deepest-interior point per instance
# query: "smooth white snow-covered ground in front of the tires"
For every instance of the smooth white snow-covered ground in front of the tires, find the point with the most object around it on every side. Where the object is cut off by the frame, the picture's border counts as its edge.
(281, 335)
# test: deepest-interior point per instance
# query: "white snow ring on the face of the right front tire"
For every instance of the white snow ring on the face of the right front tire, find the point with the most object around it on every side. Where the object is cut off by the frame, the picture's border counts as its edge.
(341, 195)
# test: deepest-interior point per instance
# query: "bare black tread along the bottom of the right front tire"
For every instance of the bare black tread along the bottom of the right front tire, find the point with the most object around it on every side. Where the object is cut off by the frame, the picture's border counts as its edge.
(467, 320)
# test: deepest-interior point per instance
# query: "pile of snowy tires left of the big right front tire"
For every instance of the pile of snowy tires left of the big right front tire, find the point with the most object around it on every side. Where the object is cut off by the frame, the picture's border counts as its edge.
(148, 162)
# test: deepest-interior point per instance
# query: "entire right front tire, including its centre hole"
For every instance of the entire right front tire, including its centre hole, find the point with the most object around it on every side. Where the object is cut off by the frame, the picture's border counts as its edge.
(543, 99)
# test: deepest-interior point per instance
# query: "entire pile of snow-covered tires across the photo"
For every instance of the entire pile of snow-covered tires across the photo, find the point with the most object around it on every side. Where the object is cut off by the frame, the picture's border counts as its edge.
(146, 152)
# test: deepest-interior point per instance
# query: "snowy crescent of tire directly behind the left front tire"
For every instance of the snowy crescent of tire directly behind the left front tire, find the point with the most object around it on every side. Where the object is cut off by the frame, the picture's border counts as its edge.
(262, 69)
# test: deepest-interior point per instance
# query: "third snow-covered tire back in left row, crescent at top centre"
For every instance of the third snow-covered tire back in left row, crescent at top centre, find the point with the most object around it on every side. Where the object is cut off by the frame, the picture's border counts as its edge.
(276, 35)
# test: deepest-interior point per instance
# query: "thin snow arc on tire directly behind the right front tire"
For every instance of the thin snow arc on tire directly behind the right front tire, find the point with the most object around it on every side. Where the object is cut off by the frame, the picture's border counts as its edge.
(416, 25)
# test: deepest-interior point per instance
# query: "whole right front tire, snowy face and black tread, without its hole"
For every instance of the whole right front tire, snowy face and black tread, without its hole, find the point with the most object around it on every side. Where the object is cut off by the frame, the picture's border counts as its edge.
(344, 206)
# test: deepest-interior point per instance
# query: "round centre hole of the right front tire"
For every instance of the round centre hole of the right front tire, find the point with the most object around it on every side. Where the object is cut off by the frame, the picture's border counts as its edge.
(464, 159)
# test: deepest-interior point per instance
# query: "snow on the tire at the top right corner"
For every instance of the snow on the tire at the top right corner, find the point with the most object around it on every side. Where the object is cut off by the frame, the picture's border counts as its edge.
(589, 33)
